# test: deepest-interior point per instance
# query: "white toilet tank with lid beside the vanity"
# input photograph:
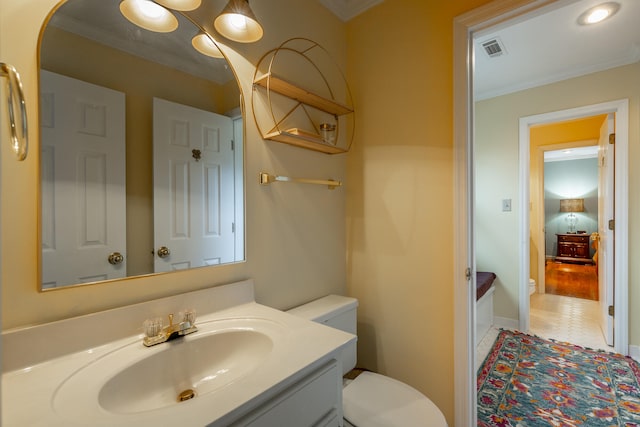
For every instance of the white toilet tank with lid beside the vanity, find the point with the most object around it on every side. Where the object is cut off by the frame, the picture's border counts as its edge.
(338, 312)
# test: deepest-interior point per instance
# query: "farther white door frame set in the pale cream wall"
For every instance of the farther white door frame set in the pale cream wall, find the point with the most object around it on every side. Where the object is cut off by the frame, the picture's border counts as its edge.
(621, 243)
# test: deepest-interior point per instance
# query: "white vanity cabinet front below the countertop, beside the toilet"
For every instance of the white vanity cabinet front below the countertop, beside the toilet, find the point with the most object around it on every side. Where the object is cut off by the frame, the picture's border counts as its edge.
(315, 400)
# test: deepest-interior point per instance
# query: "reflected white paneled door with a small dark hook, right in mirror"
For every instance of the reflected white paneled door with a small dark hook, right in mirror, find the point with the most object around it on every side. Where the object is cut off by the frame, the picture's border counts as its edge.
(193, 169)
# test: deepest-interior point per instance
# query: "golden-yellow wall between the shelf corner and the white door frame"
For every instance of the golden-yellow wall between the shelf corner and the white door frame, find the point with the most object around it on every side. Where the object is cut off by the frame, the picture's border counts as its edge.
(400, 192)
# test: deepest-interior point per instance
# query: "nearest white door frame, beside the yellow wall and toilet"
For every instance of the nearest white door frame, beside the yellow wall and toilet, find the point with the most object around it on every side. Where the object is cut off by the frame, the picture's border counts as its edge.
(464, 27)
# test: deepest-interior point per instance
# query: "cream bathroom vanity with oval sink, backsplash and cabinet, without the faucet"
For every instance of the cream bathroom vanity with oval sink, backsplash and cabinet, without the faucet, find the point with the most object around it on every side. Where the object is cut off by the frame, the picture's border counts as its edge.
(247, 364)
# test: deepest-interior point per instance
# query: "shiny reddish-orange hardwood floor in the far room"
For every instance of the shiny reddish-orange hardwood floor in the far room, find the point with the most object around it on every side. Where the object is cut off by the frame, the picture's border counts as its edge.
(571, 280)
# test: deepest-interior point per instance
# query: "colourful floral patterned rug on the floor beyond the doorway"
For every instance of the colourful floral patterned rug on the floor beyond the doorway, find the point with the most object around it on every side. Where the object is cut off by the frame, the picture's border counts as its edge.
(528, 381)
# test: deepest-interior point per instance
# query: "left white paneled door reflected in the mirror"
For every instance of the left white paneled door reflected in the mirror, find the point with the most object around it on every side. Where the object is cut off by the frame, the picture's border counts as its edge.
(83, 181)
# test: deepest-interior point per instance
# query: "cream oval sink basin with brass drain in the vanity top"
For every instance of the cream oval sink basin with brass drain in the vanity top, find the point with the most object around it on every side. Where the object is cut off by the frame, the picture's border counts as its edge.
(136, 379)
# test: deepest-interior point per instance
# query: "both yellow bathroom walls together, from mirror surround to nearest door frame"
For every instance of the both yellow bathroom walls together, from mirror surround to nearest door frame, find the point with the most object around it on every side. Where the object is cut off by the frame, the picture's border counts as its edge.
(397, 237)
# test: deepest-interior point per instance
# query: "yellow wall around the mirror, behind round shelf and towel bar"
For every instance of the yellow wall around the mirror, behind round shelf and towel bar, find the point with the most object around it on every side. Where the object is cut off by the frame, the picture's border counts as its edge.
(295, 234)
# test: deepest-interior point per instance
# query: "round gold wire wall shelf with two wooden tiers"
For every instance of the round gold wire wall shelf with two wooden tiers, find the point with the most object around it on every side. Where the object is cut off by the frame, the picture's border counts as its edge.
(300, 113)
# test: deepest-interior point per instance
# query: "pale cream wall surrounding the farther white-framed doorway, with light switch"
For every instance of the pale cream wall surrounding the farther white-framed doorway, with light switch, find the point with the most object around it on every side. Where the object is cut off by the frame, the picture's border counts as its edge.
(497, 149)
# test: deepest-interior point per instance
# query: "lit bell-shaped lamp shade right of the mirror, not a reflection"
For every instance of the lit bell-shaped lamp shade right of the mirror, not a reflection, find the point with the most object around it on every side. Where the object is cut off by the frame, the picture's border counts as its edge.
(238, 23)
